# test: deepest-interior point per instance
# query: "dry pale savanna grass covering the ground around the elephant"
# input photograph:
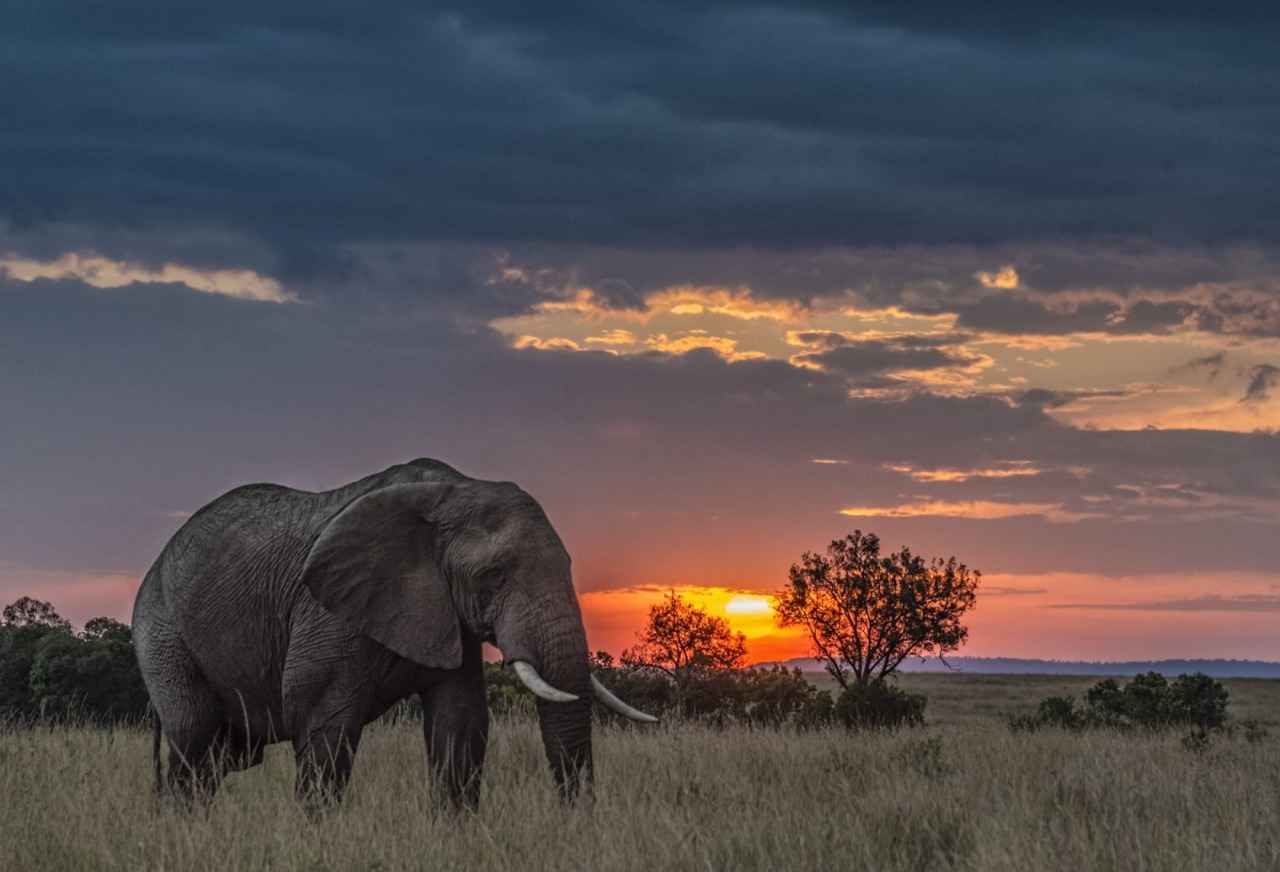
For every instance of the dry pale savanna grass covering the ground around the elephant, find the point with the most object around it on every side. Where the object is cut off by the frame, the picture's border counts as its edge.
(959, 795)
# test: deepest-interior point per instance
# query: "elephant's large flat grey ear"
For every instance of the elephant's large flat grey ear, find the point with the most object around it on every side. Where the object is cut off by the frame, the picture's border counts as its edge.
(376, 567)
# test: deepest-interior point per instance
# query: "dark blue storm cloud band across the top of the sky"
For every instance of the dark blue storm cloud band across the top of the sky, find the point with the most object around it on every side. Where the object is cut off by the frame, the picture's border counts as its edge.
(682, 125)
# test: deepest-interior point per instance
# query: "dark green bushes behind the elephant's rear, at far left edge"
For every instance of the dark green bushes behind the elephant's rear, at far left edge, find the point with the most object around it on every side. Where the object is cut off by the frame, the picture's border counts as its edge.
(51, 673)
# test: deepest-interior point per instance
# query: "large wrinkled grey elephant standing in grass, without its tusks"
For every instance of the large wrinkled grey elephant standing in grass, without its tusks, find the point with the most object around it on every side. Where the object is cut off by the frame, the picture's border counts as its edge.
(280, 615)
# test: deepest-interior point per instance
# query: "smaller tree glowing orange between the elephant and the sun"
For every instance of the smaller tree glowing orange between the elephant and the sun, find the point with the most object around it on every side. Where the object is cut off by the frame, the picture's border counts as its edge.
(684, 641)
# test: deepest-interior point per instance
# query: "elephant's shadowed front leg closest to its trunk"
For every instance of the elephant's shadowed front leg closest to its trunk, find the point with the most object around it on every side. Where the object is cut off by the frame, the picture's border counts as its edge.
(456, 728)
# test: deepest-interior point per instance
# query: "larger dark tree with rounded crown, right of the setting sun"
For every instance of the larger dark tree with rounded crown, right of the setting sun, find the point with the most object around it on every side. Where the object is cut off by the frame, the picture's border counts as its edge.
(867, 614)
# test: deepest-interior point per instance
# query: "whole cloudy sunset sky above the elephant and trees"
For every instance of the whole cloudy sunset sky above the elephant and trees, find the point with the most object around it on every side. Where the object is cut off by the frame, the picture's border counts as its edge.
(716, 284)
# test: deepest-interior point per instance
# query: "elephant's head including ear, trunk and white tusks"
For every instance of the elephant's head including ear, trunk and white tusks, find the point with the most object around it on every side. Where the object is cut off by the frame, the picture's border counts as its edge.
(412, 565)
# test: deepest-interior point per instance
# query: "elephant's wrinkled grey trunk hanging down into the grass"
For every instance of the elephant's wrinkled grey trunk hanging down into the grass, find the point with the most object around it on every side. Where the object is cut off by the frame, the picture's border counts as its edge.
(547, 633)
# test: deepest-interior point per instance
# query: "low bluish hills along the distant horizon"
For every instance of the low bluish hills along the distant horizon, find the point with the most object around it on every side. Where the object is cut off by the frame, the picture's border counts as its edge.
(1218, 669)
